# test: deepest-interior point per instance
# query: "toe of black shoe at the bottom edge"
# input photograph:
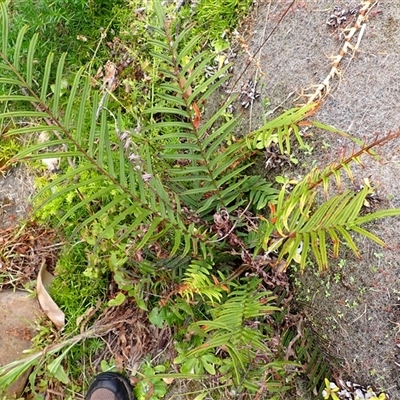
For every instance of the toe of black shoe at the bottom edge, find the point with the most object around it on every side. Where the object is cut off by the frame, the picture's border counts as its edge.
(110, 386)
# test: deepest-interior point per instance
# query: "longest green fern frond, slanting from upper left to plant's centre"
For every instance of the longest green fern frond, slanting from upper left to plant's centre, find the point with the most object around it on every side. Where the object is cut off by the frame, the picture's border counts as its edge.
(121, 181)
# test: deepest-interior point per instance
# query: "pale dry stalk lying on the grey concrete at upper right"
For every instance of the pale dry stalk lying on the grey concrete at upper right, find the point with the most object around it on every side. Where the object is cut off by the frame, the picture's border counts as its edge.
(323, 88)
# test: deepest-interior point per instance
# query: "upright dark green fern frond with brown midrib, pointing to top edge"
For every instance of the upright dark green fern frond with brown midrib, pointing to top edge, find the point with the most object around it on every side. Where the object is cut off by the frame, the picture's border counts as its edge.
(204, 171)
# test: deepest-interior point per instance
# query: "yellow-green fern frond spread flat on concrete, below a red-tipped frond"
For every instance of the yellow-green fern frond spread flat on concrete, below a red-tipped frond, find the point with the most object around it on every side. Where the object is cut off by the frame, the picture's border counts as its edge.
(300, 229)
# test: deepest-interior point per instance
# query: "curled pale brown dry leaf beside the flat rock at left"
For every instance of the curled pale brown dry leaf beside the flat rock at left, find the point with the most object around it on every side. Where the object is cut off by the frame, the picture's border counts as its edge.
(48, 305)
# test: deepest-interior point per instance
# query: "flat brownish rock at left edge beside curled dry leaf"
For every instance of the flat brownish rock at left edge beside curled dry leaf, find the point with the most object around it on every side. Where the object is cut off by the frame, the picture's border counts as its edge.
(17, 313)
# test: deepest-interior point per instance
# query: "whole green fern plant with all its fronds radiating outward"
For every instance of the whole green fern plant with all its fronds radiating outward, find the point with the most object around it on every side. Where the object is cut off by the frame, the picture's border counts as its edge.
(155, 191)
